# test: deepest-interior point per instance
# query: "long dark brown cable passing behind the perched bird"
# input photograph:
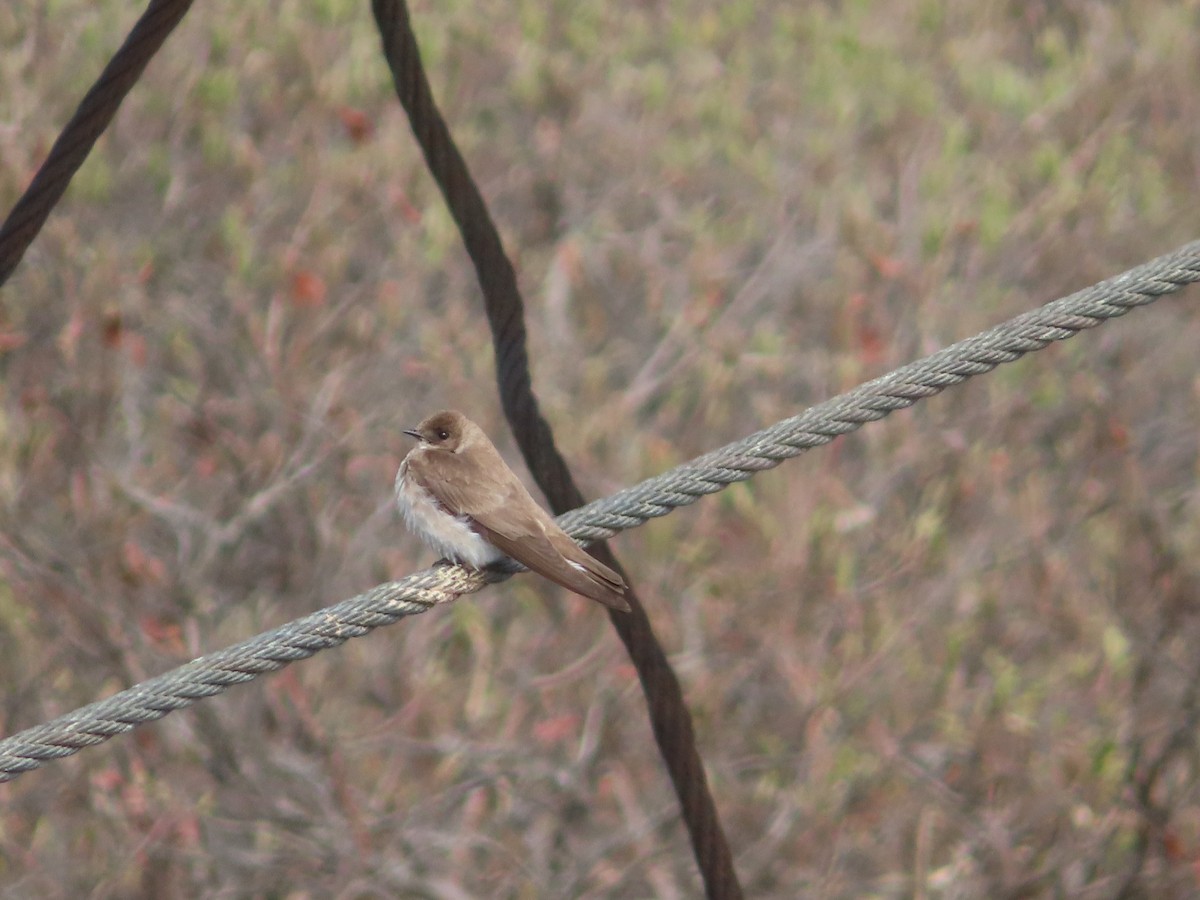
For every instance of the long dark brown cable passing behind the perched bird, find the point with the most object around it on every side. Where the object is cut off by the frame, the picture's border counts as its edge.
(670, 717)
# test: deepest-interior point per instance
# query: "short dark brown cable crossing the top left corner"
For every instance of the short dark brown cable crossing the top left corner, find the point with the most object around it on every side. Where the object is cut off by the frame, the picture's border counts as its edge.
(91, 119)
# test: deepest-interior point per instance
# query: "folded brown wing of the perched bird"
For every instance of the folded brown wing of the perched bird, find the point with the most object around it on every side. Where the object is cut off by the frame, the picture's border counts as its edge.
(512, 521)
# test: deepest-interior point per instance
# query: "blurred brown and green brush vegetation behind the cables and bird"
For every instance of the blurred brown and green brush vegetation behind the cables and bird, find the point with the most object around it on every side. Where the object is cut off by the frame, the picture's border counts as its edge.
(951, 656)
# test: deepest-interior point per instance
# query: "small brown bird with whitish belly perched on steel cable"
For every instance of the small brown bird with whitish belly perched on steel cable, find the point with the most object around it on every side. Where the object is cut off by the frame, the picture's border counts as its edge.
(461, 499)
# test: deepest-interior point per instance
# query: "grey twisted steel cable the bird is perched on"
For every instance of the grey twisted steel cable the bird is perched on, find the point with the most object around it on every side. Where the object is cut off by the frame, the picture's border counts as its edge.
(631, 508)
